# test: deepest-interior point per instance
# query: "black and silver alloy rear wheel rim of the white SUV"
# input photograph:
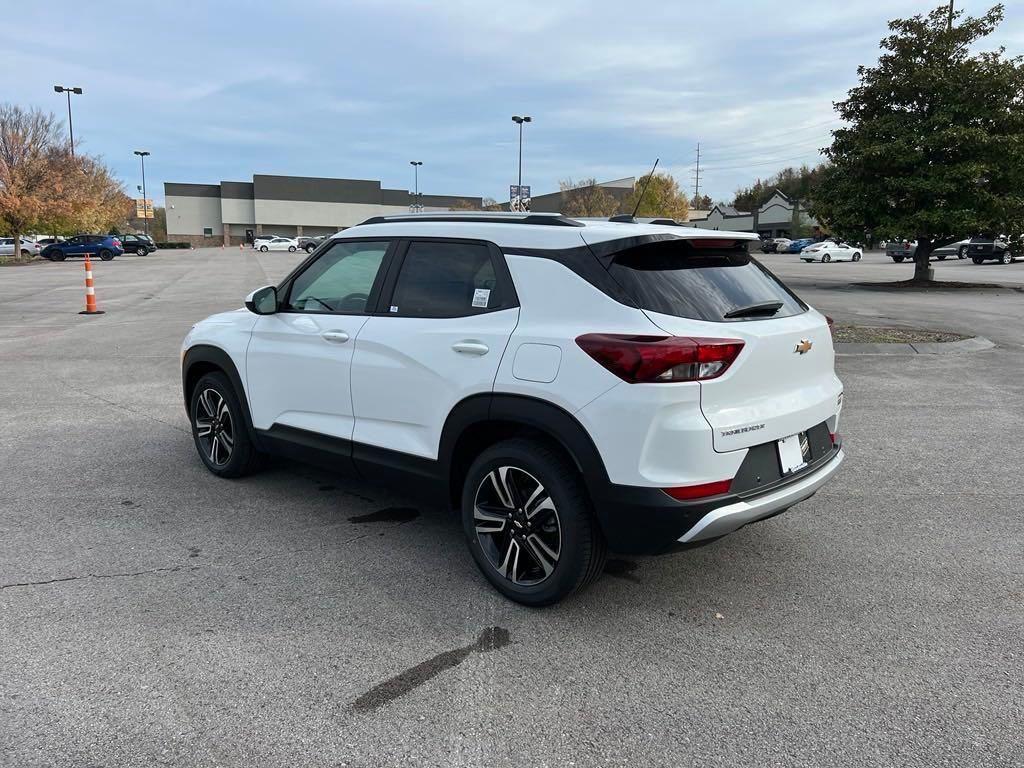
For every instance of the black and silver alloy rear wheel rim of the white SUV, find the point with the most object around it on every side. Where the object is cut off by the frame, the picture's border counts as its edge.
(518, 526)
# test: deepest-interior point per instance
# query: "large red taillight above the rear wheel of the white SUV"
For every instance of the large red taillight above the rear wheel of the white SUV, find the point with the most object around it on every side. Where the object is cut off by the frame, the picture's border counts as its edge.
(658, 360)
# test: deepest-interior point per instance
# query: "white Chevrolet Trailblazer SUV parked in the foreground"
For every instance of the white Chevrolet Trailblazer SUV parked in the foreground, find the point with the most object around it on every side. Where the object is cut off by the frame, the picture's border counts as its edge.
(570, 387)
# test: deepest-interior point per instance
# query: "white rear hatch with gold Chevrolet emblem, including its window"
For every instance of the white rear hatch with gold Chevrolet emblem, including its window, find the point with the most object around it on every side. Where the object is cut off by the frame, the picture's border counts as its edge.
(784, 380)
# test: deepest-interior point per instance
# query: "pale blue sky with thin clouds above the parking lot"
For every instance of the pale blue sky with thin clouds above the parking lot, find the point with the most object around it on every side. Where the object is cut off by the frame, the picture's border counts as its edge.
(358, 89)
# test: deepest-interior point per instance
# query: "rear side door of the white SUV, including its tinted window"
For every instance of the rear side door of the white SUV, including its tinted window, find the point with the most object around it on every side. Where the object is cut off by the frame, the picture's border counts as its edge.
(450, 309)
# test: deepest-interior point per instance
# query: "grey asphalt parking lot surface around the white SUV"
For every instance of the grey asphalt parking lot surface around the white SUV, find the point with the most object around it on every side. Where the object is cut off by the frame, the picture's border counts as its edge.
(154, 615)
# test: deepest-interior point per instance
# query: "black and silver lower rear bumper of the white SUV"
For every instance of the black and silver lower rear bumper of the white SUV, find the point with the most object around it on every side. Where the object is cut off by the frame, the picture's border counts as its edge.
(647, 522)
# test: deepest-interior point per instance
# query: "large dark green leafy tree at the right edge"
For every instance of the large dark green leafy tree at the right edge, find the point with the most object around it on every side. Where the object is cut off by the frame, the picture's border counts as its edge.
(934, 150)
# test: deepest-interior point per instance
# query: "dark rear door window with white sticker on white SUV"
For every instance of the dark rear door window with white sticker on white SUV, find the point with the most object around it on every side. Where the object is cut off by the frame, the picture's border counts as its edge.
(447, 280)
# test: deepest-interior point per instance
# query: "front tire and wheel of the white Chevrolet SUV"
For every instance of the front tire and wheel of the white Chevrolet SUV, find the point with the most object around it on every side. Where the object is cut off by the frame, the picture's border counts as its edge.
(215, 412)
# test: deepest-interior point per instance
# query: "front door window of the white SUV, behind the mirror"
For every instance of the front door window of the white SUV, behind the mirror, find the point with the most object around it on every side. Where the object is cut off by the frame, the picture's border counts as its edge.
(339, 281)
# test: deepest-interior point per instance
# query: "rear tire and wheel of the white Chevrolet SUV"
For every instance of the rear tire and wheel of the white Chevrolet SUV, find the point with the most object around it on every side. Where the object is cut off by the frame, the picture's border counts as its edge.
(568, 531)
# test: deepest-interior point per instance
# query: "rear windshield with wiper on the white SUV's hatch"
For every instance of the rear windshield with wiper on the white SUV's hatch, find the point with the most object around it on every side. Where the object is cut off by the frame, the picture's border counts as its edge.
(675, 278)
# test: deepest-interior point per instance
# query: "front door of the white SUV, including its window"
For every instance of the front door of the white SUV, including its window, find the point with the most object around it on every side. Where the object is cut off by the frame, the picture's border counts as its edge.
(298, 361)
